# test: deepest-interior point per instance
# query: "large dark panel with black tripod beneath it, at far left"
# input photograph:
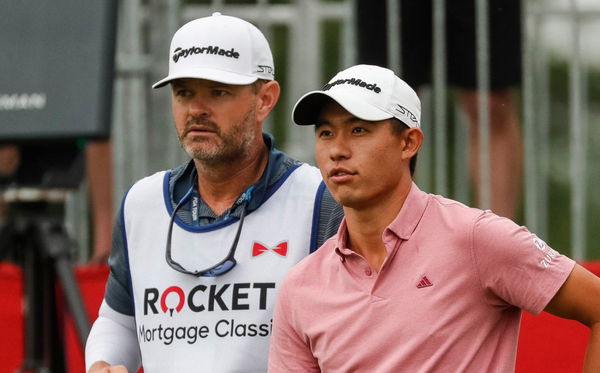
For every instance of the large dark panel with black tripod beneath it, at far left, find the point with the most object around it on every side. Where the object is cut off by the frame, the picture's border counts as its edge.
(55, 95)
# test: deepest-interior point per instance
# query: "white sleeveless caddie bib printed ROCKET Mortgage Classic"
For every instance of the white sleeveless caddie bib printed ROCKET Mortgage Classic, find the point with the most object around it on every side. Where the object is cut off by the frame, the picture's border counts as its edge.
(221, 324)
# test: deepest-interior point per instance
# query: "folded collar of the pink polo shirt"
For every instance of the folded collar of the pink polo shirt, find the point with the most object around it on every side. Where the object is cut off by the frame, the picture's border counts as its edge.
(402, 226)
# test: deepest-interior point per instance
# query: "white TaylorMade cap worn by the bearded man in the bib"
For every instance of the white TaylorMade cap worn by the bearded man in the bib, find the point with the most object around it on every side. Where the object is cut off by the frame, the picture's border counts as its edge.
(220, 48)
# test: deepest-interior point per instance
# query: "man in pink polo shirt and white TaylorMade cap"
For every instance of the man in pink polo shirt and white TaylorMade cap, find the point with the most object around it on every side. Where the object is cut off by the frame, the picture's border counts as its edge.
(412, 282)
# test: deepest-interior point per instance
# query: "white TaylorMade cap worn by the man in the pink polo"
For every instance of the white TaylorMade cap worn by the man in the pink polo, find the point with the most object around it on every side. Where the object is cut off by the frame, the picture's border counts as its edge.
(368, 92)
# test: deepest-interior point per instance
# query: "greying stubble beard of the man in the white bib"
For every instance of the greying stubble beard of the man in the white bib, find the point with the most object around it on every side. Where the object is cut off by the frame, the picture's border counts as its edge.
(226, 147)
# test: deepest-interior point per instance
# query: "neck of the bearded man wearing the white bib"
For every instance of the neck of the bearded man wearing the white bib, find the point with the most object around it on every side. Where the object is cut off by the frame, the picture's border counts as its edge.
(221, 185)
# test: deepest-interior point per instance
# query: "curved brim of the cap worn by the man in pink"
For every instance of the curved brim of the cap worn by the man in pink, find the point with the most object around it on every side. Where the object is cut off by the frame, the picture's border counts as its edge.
(307, 109)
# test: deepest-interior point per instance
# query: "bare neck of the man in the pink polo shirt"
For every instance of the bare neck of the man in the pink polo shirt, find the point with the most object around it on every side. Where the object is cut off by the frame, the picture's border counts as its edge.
(366, 226)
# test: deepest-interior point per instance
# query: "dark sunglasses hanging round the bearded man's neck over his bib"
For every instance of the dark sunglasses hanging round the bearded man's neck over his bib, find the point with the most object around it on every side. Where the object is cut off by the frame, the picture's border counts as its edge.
(224, 265)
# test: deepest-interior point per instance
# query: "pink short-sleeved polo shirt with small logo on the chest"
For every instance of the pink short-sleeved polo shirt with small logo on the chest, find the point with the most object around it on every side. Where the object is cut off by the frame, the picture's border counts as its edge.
(448, 298)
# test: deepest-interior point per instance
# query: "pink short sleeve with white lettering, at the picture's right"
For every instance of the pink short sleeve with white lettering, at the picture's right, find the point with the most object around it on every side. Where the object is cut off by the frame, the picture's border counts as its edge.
(515, 266)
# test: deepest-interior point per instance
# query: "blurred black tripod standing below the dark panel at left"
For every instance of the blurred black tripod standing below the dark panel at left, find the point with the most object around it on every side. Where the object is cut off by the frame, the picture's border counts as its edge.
(35, 237)
